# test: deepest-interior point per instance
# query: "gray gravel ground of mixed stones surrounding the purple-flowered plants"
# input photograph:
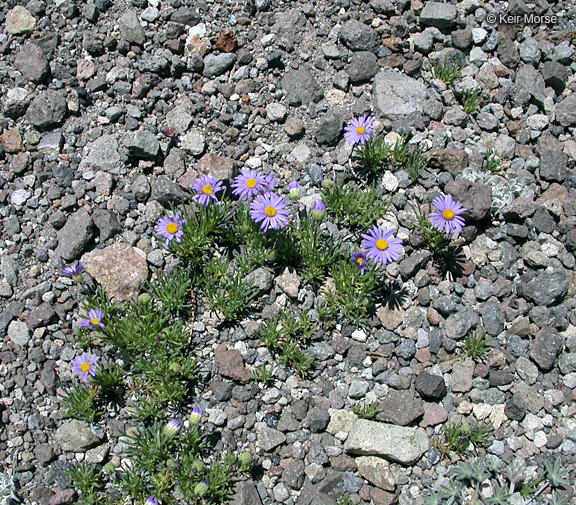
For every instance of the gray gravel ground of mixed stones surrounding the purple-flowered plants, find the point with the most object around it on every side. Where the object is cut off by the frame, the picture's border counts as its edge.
(91, 94)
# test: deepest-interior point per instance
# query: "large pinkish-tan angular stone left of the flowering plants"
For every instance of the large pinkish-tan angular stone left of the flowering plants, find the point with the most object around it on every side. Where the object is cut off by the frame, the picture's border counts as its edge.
(119, 269)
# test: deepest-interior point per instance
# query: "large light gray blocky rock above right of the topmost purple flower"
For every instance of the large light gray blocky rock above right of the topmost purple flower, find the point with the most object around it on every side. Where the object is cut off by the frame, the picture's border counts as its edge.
(397, 96)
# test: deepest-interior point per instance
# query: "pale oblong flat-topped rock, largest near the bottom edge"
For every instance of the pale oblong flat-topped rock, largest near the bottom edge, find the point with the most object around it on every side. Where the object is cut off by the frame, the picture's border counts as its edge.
(394, 443)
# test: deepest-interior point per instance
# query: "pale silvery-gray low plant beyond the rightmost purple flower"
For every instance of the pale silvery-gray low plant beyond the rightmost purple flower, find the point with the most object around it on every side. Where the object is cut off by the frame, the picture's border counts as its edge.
(505, 189)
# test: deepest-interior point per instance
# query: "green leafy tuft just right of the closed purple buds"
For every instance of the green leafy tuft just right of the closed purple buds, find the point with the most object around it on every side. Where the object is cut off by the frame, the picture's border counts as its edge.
(354, 206)
